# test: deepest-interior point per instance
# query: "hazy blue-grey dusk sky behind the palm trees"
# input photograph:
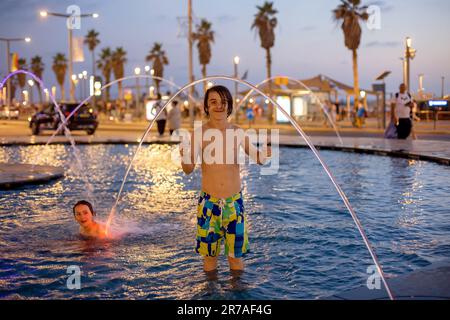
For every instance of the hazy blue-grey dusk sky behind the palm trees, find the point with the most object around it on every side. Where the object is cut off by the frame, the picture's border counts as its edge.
(307, 43)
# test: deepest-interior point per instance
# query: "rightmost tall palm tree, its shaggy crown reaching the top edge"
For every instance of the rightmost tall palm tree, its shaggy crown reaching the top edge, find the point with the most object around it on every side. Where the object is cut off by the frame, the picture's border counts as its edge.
(350, 12)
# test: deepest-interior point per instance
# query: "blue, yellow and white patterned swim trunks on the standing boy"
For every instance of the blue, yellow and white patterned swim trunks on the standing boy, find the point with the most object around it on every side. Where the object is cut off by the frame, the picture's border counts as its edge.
(218, 219)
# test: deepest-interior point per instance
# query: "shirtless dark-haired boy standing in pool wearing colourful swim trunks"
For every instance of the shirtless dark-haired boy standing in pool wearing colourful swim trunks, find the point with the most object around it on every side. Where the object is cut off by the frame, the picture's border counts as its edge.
(220, 213)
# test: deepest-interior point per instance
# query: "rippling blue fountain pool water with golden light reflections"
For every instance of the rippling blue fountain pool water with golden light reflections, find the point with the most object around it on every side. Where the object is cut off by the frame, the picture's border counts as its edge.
(303, 243)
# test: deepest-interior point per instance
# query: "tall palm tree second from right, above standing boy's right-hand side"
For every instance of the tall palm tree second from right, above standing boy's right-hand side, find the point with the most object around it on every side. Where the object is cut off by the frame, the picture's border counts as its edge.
(265, 22)
